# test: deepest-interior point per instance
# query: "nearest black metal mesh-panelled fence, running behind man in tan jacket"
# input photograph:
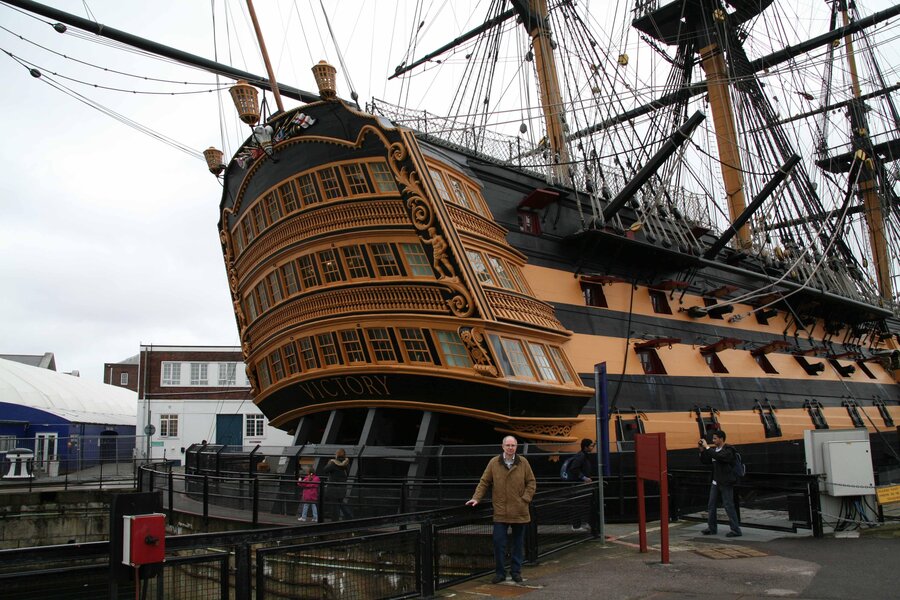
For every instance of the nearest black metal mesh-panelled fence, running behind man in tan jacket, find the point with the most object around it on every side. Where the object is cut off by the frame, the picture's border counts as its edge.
(399, 556)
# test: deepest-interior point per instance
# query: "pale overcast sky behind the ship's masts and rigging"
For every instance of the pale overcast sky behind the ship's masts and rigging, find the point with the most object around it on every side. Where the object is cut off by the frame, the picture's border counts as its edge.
(108, 236)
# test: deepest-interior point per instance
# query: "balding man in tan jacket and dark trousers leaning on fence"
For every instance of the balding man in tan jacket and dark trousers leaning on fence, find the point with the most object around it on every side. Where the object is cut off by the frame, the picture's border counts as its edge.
(513, 485)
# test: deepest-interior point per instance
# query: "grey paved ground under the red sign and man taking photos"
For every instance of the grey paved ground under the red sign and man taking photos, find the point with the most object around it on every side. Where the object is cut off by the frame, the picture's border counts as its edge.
(761, 564)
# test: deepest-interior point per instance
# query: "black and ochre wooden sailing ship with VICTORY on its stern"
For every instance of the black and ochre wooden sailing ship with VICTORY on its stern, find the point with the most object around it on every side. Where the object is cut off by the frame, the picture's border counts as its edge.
(658, 258)
